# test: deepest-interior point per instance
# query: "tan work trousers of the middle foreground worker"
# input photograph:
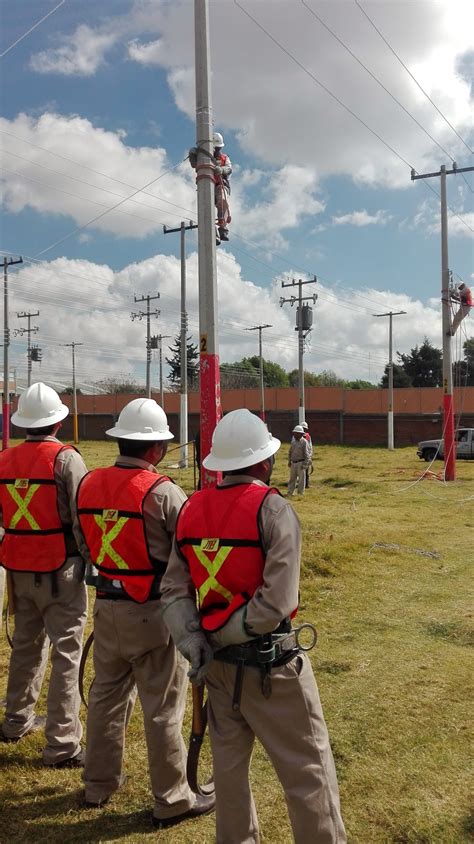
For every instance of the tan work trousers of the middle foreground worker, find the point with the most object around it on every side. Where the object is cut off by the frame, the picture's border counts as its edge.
(132, 645)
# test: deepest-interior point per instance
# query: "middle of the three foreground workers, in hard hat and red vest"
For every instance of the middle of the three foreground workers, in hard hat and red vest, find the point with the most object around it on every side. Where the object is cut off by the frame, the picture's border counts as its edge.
(127, 514)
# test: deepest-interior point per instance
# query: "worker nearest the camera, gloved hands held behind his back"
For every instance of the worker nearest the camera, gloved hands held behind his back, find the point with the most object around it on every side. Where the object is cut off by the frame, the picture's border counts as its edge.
(237, 547)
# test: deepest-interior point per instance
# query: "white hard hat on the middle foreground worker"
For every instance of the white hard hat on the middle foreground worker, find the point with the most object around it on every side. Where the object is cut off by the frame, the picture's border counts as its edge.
(141, 419)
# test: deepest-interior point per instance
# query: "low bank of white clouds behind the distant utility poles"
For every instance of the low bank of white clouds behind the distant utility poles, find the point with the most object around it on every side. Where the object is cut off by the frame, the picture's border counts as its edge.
(91, 304)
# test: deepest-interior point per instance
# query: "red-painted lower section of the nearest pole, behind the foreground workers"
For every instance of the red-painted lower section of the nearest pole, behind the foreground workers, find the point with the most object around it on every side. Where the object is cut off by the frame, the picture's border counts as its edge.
(211, 411)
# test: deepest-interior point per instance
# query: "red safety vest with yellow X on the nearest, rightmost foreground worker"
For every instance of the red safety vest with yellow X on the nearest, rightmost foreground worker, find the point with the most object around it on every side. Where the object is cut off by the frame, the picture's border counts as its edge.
(218, 533)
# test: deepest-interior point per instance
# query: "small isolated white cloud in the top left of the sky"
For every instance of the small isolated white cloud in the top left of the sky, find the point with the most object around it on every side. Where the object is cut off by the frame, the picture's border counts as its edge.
(81, 55)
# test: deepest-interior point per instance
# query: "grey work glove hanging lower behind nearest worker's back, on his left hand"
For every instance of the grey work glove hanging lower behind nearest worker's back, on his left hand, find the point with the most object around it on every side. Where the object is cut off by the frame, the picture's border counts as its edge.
(182, 620)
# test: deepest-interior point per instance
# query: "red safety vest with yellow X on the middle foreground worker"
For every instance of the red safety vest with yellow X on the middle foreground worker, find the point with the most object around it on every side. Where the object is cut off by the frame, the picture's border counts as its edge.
(110, 510)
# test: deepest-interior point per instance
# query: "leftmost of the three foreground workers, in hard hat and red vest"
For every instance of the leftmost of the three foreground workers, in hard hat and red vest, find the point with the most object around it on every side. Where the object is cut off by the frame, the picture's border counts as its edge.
(38, 483)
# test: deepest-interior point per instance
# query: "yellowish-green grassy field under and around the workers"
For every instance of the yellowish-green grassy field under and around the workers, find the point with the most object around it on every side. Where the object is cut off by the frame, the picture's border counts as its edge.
(386, 575)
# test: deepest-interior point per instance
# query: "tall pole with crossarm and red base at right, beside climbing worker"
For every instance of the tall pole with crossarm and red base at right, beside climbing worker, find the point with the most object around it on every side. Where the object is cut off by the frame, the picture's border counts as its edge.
(448, 403)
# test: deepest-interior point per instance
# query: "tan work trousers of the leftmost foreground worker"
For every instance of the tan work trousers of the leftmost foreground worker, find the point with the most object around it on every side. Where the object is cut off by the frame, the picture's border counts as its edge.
(40, 619)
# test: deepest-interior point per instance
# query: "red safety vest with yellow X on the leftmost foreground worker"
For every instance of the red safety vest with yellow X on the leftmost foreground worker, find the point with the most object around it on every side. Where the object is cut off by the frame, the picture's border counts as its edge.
(34, 538)
